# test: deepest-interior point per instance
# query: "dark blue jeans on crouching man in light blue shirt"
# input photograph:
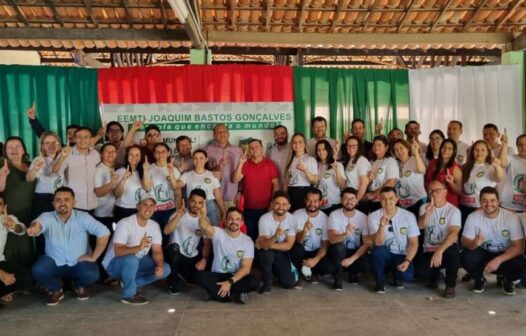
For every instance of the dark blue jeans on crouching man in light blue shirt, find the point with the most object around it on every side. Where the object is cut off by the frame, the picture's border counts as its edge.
(46, 272)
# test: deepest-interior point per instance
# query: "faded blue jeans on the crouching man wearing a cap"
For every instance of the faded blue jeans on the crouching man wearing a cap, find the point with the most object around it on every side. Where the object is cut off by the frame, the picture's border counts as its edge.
(134, 272)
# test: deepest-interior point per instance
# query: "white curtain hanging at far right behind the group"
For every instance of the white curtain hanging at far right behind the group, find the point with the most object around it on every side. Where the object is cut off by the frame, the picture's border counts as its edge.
(473, 95)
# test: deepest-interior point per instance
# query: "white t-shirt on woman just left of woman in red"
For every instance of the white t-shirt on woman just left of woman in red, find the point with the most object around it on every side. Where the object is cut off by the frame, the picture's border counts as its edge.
(410, 187)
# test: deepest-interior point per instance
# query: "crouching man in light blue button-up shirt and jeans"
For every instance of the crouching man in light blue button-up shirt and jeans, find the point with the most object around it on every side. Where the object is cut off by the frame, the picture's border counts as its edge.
(68, 253)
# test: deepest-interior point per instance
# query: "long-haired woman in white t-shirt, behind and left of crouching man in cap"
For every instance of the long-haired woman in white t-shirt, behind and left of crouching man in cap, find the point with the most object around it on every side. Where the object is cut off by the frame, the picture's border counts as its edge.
(134, 179)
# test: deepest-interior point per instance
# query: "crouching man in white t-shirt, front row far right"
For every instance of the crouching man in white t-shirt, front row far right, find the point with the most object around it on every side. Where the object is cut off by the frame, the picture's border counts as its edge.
(493, 242)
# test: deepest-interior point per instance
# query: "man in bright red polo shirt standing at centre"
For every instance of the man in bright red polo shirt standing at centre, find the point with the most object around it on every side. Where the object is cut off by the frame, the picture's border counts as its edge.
(260, 178)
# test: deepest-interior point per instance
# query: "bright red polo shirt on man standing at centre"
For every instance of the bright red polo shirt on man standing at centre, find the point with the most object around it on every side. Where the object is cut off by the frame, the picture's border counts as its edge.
(257, 183)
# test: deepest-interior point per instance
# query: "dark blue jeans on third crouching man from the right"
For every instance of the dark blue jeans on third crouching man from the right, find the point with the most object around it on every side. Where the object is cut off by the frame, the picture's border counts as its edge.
(383, 260)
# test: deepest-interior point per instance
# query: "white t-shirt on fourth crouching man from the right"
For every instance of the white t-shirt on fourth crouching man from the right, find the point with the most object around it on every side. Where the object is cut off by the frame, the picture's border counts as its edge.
(338, 222)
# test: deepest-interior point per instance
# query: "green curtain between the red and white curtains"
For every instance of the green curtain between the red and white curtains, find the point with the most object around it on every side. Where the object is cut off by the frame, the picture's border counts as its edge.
(343, 95)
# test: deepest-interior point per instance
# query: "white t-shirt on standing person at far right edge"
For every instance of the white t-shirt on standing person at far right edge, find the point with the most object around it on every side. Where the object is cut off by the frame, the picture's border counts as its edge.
(510, 190)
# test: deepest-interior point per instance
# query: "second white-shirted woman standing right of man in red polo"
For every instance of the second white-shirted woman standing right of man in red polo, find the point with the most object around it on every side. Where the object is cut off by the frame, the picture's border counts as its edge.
(332, 177)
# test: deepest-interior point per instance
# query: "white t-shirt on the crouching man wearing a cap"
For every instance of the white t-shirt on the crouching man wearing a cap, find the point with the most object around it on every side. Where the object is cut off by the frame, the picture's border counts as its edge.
(128, 232)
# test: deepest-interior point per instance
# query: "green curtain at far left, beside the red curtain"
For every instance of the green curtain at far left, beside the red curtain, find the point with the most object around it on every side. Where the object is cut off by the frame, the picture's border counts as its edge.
(62, 96)
